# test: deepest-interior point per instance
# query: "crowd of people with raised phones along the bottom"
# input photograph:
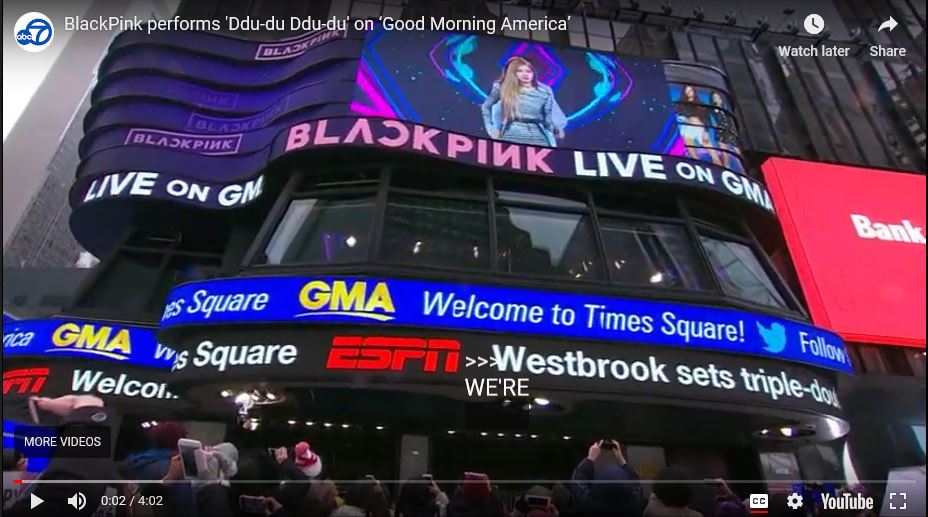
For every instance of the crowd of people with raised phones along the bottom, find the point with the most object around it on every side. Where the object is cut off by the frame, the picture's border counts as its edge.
(290, 481)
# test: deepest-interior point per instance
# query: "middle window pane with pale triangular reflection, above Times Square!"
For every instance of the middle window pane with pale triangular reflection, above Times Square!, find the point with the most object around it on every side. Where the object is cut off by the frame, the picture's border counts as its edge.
(539, 242)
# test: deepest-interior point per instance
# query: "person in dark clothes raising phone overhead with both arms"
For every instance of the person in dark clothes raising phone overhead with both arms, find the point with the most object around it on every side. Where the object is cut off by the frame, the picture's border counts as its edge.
(605, 483)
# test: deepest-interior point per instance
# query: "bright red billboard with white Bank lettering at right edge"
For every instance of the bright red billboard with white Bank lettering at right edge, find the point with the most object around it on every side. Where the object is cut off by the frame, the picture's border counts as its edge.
(857, 239)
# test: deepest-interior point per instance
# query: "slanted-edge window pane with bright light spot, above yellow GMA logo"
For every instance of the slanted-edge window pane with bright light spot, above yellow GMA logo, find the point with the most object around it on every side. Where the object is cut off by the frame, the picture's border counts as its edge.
(323, 231)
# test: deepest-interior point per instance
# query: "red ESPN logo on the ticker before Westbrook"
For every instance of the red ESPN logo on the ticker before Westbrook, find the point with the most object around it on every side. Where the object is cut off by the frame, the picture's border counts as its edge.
(386, 353)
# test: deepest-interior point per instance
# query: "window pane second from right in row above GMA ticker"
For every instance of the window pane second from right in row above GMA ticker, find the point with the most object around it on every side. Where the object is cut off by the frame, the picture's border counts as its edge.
(643, 253)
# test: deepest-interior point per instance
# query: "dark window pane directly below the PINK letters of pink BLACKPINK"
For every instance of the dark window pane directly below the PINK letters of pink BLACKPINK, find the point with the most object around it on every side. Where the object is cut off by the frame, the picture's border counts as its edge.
(436, 232)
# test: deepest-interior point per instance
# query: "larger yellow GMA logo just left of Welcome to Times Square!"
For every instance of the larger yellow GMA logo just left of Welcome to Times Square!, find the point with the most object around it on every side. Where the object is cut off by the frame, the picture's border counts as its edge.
(347, 298)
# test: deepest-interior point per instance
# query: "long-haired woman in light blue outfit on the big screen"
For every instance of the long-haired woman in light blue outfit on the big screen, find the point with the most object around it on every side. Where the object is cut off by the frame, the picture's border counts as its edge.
(522, 110)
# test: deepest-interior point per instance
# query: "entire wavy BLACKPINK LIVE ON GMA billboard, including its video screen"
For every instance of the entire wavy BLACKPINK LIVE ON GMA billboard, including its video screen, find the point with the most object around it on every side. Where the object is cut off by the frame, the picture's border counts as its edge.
(185, 116)
